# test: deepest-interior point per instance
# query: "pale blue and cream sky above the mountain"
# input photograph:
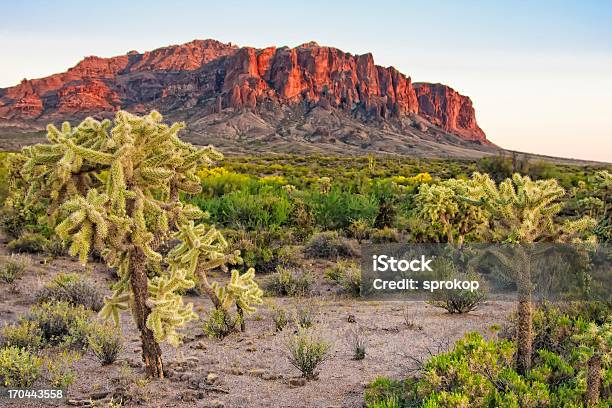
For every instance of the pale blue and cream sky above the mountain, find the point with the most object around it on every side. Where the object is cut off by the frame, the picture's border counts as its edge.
(539, 72)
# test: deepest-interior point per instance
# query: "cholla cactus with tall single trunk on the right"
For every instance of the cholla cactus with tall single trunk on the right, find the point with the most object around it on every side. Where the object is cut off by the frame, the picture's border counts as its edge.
(523, 211)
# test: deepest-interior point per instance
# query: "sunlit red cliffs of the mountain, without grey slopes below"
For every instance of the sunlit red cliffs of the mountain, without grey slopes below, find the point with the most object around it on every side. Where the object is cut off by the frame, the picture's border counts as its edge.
(207, 77)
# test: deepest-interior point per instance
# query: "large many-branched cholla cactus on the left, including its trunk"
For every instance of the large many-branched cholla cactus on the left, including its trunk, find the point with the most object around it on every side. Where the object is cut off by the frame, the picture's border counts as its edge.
(117, 191)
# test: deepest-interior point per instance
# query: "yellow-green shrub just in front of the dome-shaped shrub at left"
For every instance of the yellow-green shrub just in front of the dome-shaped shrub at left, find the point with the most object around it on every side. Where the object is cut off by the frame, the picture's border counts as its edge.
(60, 322)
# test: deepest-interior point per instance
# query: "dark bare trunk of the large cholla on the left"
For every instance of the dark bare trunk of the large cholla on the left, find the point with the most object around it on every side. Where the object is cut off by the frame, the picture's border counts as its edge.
(151, 352)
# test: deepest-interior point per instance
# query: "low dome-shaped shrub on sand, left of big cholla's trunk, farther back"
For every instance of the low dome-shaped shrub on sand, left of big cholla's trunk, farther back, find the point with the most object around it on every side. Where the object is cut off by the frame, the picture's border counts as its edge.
(74, 289)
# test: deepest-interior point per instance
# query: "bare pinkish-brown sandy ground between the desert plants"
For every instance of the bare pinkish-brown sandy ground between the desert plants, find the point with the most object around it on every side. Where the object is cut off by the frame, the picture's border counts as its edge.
(251, 369)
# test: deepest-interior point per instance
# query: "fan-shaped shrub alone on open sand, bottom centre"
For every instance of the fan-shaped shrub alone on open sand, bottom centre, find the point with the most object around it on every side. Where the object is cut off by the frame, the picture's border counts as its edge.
(307, 351)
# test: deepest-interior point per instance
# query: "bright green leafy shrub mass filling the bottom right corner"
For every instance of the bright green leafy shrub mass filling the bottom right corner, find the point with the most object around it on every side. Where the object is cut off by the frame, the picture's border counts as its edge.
(481, 373)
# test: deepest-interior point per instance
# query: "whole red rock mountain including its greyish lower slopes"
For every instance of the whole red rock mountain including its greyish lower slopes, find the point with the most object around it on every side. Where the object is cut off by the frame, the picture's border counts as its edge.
(309, 93)
